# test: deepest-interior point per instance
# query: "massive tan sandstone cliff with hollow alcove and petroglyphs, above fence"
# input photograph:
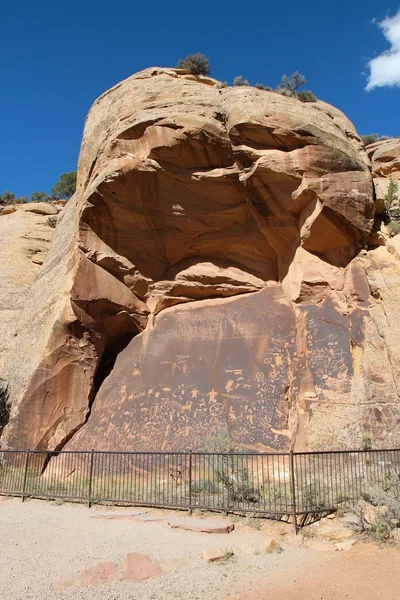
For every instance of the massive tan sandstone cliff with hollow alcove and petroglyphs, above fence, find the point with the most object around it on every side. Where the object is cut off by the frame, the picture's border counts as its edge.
(216, 250)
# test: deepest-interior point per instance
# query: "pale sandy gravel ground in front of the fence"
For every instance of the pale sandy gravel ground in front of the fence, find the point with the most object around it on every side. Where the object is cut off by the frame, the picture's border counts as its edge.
(45, 547)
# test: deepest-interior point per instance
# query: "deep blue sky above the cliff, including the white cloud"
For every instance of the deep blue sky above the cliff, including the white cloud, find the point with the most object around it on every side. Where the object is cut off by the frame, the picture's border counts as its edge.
(57, 57)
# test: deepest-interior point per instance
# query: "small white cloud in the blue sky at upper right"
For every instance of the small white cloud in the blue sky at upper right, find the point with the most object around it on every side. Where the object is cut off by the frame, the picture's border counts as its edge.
(385, 68)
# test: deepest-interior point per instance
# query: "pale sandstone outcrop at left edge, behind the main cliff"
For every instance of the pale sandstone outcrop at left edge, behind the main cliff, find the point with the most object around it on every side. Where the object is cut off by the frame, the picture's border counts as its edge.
(26, 238)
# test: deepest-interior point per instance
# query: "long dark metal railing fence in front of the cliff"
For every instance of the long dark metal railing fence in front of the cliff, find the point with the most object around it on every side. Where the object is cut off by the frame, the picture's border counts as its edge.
(273, 485)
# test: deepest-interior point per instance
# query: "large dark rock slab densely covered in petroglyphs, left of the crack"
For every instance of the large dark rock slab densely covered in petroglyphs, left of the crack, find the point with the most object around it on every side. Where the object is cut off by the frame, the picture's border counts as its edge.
(221, 365)
